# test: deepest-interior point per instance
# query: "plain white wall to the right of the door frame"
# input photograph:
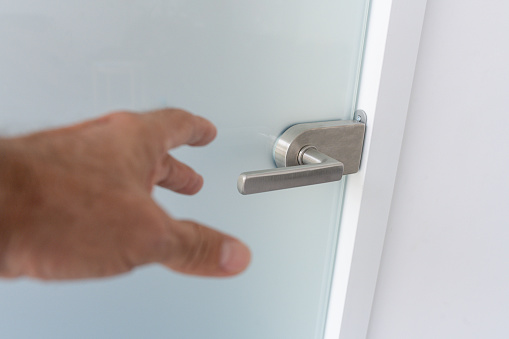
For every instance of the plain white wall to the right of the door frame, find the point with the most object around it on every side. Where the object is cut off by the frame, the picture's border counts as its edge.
(445, 266)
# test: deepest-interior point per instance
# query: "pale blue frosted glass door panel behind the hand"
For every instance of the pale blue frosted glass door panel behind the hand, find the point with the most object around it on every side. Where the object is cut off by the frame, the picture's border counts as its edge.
(253, 68)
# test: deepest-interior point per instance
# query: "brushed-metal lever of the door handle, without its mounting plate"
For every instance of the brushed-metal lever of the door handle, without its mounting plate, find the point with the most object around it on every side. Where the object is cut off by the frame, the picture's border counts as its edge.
(315, 168)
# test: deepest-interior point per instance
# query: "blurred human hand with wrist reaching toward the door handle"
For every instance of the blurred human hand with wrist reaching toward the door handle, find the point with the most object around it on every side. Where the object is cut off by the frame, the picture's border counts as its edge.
(76, 203)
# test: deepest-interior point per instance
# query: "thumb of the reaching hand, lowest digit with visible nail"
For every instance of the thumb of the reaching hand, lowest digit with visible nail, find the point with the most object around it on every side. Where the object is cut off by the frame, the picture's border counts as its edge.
(199, 250)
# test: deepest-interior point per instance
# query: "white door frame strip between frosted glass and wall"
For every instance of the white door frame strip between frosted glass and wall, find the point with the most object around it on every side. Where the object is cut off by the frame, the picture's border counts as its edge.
(392, 43)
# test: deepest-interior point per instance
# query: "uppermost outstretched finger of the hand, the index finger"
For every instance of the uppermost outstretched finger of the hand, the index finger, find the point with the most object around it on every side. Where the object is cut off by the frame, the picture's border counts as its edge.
(175, 127)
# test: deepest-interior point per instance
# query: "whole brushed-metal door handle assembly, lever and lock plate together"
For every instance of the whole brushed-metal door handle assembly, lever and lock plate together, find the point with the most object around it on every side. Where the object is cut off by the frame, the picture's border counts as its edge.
(309, 154)
